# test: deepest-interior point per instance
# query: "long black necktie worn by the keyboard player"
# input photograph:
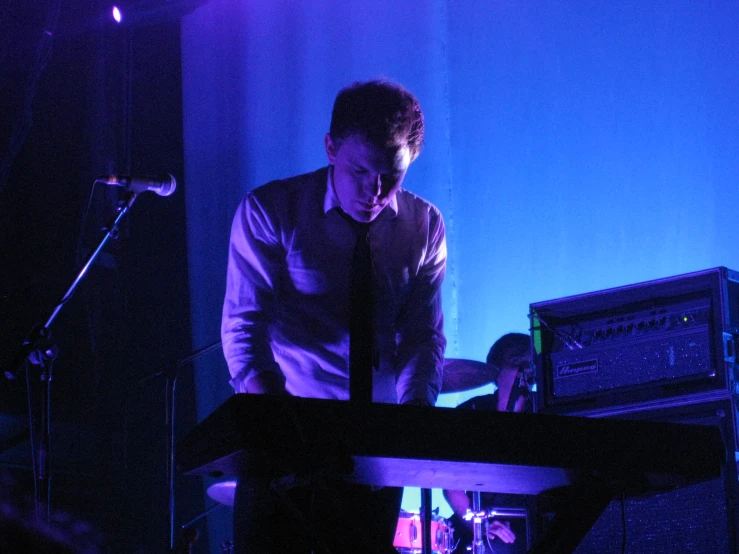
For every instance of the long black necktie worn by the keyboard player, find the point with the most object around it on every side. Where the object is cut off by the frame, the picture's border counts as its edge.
(361, 317)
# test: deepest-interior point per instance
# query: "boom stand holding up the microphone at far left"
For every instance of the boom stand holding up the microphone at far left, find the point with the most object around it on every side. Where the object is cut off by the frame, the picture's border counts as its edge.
(39, 350)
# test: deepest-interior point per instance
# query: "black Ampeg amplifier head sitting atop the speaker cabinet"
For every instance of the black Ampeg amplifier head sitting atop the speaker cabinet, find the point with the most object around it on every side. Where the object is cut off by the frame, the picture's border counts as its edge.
(637, 343)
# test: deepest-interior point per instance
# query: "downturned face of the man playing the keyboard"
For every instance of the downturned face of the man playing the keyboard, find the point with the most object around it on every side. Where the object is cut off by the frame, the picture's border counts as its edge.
(366, 177)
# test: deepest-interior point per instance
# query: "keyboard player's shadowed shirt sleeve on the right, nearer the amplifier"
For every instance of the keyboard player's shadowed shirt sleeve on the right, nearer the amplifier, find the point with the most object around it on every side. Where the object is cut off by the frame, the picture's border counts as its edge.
(420, 331)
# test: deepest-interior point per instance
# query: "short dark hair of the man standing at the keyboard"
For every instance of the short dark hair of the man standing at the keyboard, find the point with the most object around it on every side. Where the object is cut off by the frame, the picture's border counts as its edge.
(385, 113)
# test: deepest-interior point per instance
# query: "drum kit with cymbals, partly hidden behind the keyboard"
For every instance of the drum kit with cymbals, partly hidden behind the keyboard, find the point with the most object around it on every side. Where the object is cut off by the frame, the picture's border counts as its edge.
(459, 375)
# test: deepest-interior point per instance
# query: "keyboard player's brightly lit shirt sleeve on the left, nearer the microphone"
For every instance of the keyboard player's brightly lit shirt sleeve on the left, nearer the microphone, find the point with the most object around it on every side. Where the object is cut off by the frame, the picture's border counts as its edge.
(255, 259)
